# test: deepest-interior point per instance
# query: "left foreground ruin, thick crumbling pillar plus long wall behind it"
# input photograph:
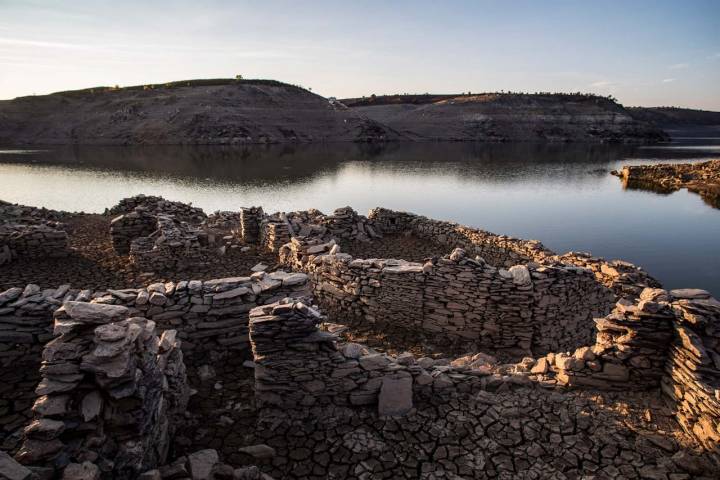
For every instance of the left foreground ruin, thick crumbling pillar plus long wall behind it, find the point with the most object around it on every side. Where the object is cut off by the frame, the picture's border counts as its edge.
(111, 385)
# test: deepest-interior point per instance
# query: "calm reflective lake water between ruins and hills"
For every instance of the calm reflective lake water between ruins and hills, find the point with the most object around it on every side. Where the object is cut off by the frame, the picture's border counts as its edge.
(562, 195)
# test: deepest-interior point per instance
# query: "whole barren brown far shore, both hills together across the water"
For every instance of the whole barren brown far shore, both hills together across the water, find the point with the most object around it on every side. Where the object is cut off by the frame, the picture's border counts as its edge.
(229, 111)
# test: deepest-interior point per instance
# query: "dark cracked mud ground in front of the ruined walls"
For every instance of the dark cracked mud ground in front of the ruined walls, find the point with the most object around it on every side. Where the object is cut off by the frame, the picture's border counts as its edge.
(512, 432)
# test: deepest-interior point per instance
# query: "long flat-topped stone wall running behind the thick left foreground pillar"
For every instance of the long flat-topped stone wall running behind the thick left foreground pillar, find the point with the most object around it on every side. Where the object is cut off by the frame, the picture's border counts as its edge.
(210, 317)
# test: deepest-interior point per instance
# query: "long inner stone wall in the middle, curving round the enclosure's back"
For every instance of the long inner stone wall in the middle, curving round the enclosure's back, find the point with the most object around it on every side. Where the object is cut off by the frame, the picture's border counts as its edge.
(544, 308)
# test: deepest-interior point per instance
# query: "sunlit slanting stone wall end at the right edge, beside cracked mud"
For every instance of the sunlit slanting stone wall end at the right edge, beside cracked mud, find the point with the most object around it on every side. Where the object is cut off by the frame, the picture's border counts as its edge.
(692, 378)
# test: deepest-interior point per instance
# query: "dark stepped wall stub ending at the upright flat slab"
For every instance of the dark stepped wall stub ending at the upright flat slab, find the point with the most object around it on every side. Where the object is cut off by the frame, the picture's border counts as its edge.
(299, 367)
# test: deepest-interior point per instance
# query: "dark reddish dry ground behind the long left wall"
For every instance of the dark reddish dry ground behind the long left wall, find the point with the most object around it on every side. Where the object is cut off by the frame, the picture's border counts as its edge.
(93, 263)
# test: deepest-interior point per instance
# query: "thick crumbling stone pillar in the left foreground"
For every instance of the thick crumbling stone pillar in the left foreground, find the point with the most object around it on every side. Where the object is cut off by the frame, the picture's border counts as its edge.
(110, 394)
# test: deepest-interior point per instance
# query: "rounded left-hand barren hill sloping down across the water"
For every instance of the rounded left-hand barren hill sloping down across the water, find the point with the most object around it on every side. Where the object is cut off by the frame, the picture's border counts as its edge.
(190, 112)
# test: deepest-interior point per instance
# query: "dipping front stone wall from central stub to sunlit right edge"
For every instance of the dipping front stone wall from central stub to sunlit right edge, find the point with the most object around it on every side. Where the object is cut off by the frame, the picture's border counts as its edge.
(663, 337)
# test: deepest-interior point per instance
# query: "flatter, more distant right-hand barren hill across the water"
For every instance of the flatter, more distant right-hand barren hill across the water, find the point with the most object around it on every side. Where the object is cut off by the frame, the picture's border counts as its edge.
(506, 117)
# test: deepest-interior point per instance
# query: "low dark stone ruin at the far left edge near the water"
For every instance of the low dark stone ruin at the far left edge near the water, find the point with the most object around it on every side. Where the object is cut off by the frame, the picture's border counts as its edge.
(32, 233)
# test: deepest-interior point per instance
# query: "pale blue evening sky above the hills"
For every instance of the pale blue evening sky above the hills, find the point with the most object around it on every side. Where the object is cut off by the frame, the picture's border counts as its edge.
(643, 52)
